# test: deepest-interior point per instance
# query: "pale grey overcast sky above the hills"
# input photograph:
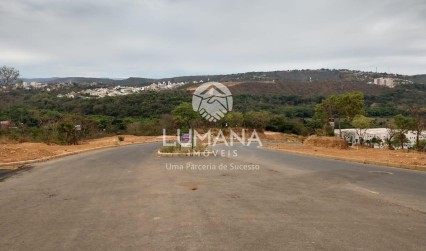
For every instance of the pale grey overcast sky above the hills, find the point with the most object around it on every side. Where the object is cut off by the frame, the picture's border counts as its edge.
(164, 38)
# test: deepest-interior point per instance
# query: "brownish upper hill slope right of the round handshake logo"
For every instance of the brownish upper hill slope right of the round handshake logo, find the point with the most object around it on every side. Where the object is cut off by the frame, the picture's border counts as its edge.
(310, 83)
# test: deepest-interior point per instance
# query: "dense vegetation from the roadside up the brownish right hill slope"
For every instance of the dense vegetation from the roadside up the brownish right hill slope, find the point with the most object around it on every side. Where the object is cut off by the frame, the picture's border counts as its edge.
(285, 106)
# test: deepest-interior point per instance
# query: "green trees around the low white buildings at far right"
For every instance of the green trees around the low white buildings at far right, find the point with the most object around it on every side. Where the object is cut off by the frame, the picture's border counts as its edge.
(349, 109)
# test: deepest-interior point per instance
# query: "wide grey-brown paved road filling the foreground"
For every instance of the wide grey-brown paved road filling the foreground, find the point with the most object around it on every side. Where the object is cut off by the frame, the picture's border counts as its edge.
(130, 199)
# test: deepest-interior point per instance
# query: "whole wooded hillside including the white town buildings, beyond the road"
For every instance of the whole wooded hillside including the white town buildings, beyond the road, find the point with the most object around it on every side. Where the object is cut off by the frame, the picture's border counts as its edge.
(284, 101)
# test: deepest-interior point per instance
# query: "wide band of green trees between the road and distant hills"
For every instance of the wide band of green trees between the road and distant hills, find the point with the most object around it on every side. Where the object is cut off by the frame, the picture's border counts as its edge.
(41, 116)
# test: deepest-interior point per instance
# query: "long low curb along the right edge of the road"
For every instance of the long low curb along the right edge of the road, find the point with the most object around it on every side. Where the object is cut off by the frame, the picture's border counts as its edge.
(368, 162)
